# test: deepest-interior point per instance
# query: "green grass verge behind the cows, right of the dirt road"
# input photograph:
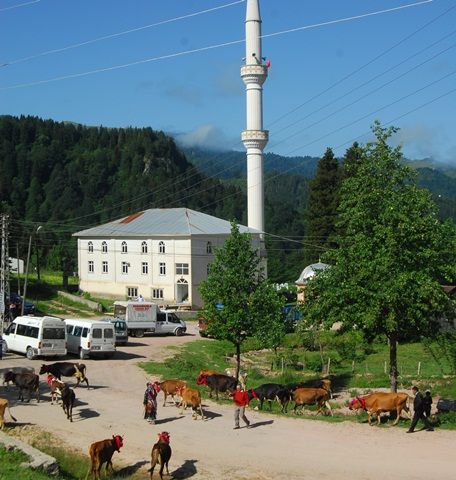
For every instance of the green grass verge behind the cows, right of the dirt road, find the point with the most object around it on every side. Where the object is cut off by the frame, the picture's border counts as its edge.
(366, 374)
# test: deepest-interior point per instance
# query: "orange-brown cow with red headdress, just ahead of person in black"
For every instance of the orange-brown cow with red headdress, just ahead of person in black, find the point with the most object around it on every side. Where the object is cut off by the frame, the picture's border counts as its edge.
(379, 402)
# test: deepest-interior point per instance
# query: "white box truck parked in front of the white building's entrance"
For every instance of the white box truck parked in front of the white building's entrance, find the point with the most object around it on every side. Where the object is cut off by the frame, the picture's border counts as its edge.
(142, 317)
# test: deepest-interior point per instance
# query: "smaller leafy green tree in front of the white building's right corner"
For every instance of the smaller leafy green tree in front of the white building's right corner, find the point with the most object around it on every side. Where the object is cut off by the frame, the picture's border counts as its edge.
(250, 304)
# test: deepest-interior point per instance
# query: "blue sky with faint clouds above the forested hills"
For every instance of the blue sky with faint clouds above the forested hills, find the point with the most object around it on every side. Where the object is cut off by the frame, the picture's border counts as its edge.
(174, 65)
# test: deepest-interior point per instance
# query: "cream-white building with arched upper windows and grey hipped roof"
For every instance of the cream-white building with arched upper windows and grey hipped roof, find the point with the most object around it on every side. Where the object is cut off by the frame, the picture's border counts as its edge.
(161, 254)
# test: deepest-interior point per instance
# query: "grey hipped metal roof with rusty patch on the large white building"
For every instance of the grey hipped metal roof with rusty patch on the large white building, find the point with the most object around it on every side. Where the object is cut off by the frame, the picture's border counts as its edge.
(163, 222)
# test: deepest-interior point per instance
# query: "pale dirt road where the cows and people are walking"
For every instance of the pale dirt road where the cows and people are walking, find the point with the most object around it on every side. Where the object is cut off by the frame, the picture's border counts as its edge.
(274, 448)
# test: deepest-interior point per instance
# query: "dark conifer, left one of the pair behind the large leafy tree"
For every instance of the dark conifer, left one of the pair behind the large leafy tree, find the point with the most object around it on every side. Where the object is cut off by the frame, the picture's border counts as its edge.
(321, 210)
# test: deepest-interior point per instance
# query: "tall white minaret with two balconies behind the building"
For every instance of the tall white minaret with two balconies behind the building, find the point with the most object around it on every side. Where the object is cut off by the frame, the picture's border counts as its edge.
(254, 73)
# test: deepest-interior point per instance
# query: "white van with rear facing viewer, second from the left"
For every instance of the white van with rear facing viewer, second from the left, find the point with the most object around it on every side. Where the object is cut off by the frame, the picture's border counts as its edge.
(90, 338)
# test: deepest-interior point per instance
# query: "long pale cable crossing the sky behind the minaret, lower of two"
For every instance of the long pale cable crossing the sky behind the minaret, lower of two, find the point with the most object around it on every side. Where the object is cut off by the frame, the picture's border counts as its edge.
(202, 49)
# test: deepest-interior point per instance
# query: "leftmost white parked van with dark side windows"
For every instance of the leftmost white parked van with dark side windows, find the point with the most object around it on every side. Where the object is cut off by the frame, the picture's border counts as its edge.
(36, 336)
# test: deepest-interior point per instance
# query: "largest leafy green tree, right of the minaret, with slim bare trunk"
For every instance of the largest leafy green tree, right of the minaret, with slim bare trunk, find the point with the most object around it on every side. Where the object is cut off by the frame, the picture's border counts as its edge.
(384, 275)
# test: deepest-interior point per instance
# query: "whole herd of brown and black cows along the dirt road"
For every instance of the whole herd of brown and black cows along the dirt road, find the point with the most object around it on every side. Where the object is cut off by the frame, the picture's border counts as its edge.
(317, 393)
